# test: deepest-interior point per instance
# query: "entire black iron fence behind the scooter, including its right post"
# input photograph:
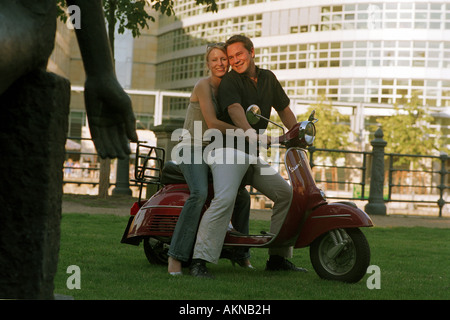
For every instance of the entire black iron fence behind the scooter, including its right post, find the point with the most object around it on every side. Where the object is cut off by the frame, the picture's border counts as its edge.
(373, 176)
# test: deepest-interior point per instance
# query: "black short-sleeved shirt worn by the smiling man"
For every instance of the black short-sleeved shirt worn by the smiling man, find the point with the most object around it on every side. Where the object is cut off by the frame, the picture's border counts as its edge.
(266, 93)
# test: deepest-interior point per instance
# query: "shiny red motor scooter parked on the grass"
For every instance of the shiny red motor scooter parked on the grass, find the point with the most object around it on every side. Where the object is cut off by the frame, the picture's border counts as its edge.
(338, 248)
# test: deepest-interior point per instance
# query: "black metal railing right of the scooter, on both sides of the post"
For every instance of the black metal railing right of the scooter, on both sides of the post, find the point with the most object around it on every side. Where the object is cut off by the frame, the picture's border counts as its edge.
(426, 186)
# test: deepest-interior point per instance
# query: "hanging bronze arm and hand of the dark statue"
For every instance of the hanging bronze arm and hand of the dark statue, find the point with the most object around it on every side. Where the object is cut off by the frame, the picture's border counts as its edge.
(110, 115)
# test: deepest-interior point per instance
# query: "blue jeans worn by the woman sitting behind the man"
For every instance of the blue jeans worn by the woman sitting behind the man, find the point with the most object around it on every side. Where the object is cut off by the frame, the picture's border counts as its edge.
(184, 235)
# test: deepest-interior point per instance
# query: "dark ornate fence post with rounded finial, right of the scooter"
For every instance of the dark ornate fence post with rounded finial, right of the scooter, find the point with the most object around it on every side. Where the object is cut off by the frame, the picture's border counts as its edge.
(376, 203)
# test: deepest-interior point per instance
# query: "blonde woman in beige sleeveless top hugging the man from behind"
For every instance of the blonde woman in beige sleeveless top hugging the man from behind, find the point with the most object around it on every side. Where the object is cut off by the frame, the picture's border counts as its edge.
(202, 109)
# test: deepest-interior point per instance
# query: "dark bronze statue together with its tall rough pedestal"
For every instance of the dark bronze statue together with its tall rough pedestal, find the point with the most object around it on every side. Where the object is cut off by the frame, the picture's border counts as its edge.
(34, 108)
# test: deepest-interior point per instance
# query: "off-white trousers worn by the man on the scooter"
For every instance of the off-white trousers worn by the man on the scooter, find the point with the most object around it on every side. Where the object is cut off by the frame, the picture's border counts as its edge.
(227, 177)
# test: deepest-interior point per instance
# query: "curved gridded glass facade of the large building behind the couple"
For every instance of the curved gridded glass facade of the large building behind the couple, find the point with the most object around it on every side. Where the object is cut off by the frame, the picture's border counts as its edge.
(371, 52)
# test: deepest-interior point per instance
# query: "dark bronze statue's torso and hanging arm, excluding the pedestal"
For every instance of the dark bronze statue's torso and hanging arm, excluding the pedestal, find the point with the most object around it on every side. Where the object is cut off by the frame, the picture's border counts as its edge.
(27, 33)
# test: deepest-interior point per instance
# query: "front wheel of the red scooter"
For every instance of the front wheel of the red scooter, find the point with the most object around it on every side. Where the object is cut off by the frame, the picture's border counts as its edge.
(341, 254)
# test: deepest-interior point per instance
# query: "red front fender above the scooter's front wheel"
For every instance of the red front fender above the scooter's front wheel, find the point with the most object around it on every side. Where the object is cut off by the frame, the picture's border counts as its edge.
(331, 216)
